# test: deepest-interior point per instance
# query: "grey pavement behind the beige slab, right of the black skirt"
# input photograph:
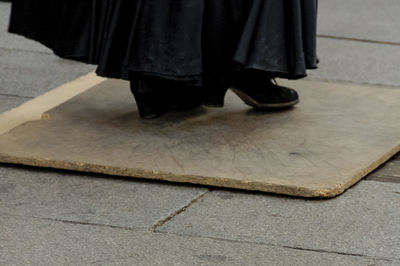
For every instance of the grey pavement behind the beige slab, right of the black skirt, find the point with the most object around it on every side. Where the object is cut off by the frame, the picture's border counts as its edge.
(359, 41)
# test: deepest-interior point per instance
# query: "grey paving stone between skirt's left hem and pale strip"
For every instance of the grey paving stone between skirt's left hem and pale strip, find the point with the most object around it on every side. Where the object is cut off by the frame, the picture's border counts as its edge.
(31, 74)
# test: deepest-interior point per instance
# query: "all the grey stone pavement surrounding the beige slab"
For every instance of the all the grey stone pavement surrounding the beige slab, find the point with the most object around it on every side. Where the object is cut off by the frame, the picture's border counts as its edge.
(50, 217)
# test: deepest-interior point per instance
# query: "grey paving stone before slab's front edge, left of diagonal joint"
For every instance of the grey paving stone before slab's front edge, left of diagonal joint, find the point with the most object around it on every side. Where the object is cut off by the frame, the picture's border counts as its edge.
(90, 199)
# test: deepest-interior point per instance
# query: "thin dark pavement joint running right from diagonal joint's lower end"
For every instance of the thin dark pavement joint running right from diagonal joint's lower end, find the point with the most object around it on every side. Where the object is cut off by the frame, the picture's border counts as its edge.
(388, 259)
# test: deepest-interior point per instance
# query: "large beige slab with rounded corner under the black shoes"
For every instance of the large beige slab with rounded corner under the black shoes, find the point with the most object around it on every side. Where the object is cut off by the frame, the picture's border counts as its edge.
(336, 136)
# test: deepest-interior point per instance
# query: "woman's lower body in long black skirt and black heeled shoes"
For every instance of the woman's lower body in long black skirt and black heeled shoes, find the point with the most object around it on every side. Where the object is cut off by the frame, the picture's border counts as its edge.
(179, 54)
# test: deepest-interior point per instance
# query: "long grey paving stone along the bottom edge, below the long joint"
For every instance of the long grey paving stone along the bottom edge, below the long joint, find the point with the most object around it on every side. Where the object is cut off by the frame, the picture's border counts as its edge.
(37, 242)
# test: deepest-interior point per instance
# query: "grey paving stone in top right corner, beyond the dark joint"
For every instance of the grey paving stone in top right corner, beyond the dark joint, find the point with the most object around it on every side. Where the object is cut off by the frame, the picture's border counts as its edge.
(364, 19)
